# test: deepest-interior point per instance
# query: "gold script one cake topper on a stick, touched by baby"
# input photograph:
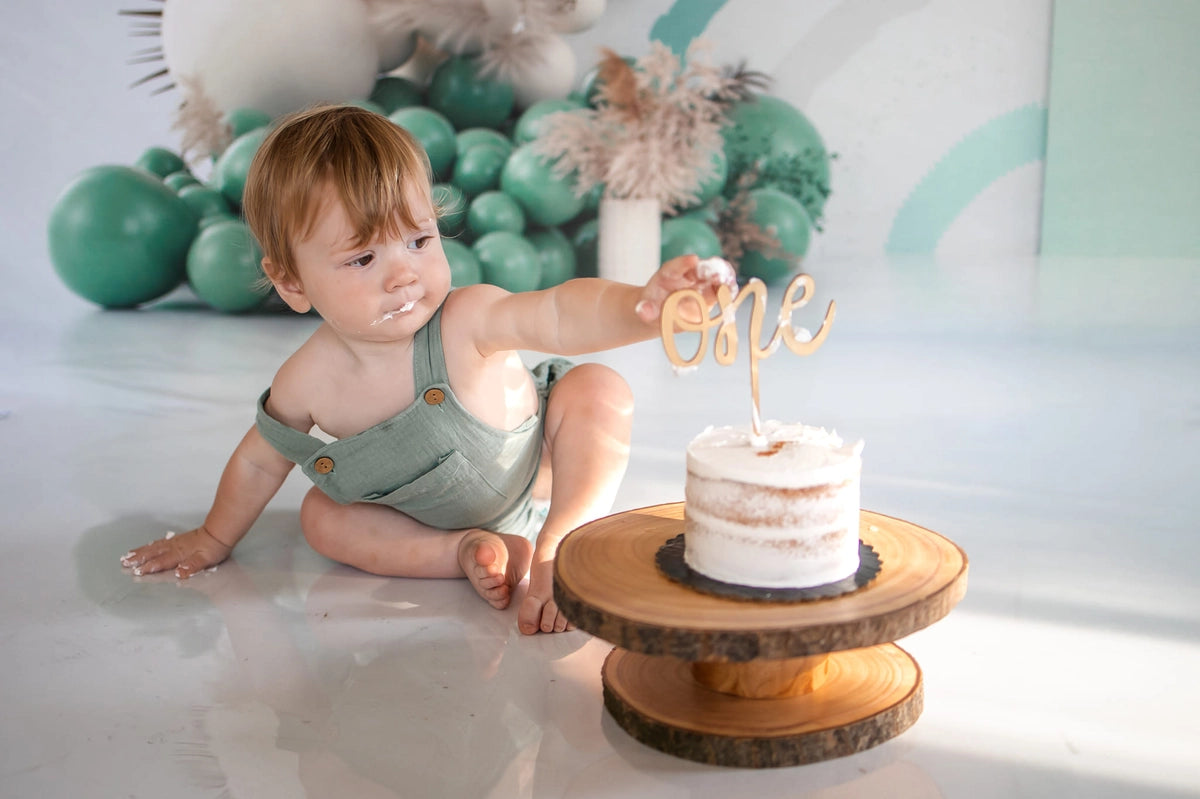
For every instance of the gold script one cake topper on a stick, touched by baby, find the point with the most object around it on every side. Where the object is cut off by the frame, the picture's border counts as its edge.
(725, 345)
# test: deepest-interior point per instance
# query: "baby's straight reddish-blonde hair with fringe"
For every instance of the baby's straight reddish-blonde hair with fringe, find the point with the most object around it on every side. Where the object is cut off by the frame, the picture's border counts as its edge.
(369, 161)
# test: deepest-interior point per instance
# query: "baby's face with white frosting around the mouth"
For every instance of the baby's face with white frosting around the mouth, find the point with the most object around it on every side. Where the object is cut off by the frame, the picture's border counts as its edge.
(382, 291)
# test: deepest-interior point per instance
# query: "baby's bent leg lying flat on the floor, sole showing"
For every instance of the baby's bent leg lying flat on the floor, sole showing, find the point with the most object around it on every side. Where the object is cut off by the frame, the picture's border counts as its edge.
(385, 542)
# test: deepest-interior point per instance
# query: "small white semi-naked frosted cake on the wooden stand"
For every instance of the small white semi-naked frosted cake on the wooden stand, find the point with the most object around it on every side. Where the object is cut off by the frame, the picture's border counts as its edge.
(777, 510)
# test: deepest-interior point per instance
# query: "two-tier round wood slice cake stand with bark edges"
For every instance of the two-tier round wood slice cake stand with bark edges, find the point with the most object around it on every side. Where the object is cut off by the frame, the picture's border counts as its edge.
(751, 683)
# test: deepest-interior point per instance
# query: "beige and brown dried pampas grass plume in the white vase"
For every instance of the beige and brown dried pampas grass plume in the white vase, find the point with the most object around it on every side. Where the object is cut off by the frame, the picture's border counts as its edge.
(655, 129)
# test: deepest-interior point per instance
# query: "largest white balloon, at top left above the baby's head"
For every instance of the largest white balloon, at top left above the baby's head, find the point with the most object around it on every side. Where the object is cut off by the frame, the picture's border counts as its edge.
(243, 56)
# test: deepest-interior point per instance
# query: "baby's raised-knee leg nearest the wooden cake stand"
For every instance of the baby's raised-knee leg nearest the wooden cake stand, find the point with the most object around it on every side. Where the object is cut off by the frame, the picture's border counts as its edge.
(589, 424)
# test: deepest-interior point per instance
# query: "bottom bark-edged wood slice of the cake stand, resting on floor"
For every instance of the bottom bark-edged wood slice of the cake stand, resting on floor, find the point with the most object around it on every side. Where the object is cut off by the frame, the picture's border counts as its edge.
(869, 696)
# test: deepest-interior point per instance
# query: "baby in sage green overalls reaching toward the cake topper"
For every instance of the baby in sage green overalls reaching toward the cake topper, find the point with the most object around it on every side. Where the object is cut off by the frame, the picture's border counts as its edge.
(445, 441)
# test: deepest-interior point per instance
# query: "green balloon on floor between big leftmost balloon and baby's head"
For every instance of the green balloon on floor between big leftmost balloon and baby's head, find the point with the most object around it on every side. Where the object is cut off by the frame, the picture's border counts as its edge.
(224, 268)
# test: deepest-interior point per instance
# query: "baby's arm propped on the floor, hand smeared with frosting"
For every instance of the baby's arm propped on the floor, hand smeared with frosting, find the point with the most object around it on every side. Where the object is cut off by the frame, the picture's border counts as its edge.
(253, 477)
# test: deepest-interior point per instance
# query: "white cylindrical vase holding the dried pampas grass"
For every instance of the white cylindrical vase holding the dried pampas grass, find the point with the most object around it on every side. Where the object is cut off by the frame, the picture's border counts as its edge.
(631, 237)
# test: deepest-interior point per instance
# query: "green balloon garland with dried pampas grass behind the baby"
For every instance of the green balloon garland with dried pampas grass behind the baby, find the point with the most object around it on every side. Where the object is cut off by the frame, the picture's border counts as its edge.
(517, 206)
